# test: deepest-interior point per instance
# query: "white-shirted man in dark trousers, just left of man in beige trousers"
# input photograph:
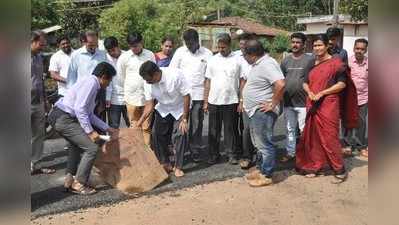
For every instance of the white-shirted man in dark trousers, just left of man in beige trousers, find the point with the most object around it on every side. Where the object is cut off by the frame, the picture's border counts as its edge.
(115, 101)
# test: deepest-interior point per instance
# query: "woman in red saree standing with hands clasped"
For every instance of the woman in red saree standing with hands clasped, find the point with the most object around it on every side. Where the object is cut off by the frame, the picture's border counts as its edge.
(319, 149)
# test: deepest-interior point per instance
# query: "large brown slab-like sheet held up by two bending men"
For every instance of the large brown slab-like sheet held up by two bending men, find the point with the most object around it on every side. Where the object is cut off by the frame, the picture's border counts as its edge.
(128, 164)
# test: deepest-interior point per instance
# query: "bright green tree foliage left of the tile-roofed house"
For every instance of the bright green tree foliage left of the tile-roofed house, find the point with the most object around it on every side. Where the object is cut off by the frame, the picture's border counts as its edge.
(152, 18)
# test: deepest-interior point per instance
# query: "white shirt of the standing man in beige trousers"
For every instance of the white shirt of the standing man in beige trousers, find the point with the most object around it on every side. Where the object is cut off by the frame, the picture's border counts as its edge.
(128, 67)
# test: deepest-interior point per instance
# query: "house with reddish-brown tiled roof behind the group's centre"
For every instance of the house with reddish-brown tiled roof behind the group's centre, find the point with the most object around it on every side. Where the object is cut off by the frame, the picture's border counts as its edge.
(209, 31)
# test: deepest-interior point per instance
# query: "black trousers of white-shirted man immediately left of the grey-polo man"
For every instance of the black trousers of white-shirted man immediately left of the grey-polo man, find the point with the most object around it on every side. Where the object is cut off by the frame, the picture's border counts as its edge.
(228, 116)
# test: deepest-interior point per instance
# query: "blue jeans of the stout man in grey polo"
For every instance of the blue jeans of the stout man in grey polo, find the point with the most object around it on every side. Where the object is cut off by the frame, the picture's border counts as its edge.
(261, 128)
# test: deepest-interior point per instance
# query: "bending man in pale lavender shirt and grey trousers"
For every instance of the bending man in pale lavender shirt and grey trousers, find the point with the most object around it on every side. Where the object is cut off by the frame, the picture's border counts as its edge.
(74, 119)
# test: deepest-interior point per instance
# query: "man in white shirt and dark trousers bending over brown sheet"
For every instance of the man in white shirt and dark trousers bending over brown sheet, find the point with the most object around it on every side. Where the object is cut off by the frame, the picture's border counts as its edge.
(171, 89)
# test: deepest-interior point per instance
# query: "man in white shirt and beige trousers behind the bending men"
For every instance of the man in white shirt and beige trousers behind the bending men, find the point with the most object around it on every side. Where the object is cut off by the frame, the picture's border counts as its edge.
(128, 67)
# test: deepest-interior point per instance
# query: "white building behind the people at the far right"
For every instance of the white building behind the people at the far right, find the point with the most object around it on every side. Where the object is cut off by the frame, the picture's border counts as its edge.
(352, 30)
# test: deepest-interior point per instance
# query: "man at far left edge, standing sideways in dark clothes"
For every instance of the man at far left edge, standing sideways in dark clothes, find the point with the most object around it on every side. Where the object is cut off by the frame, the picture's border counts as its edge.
(38, 43)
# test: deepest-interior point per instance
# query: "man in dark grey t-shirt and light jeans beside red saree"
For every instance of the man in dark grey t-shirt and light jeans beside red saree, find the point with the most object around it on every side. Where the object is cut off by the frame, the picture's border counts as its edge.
(295, 67)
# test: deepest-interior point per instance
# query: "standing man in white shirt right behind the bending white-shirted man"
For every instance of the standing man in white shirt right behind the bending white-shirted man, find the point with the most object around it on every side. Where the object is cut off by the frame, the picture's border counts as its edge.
(192, 60)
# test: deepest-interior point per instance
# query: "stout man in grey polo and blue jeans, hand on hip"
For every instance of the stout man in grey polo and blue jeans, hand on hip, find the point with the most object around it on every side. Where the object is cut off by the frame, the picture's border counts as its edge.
(261, 97)
